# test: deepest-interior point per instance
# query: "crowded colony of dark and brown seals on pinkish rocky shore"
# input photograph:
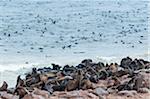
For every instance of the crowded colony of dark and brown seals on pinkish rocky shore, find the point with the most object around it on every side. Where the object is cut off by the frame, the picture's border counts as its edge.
(87, 80)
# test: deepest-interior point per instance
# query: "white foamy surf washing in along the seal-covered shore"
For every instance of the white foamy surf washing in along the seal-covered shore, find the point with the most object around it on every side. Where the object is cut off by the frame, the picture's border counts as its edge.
(21, 69)
